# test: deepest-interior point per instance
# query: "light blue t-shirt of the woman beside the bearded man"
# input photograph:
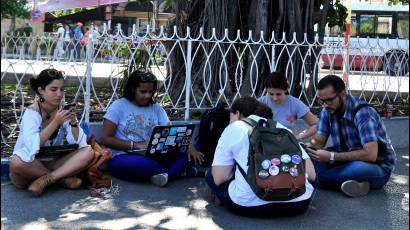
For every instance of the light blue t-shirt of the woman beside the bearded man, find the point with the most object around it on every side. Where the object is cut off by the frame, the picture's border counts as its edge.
(288, 112)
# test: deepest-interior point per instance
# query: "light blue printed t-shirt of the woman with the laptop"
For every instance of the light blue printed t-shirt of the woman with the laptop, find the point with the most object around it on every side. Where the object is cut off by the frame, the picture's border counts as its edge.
(134, 122)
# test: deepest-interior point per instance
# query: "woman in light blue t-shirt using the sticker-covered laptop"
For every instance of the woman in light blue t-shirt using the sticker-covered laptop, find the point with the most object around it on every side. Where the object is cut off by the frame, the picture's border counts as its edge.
(128, 124)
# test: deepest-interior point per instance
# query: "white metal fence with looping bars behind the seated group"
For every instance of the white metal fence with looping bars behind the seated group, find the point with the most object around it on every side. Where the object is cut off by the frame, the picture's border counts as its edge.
(197, 70)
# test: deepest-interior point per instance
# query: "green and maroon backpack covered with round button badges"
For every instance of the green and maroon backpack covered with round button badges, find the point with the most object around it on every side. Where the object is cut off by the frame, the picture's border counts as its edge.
(276, 168)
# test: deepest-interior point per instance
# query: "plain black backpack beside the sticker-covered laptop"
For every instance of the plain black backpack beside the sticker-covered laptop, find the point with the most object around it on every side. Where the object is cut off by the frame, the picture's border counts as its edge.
(212, 124)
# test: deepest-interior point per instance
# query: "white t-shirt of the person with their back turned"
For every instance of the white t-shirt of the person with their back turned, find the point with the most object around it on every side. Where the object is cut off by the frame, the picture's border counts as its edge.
(234, 146)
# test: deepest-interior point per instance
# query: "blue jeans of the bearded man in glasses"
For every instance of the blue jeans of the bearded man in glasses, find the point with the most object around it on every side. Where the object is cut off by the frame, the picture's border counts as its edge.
(332, 176)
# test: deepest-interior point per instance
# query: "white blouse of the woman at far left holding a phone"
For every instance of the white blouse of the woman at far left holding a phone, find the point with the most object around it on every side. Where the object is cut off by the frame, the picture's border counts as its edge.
(28, 141)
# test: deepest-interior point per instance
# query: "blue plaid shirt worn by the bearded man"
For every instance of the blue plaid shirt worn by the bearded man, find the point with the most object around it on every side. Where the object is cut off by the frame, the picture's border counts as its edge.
(365, 127)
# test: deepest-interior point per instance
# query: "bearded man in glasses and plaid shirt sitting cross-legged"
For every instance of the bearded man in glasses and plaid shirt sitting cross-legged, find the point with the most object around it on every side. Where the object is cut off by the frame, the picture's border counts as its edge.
(362, 156)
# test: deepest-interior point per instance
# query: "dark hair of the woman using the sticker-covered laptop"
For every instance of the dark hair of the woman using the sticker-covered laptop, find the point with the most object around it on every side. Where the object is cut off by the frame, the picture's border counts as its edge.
(134, 80)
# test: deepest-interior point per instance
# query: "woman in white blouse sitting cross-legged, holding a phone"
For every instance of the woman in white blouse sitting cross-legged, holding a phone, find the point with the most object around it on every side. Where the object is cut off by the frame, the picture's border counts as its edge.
(46, 123)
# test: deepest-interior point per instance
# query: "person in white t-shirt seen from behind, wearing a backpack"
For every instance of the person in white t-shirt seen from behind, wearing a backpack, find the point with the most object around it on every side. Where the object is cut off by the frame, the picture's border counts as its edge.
(227, 182)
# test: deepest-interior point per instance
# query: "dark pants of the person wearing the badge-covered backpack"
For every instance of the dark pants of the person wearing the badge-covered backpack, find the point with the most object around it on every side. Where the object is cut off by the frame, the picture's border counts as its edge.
(267, 210)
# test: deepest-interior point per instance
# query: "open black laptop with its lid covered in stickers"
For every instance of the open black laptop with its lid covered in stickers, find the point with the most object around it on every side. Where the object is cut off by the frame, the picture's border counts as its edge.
(167, 143)
